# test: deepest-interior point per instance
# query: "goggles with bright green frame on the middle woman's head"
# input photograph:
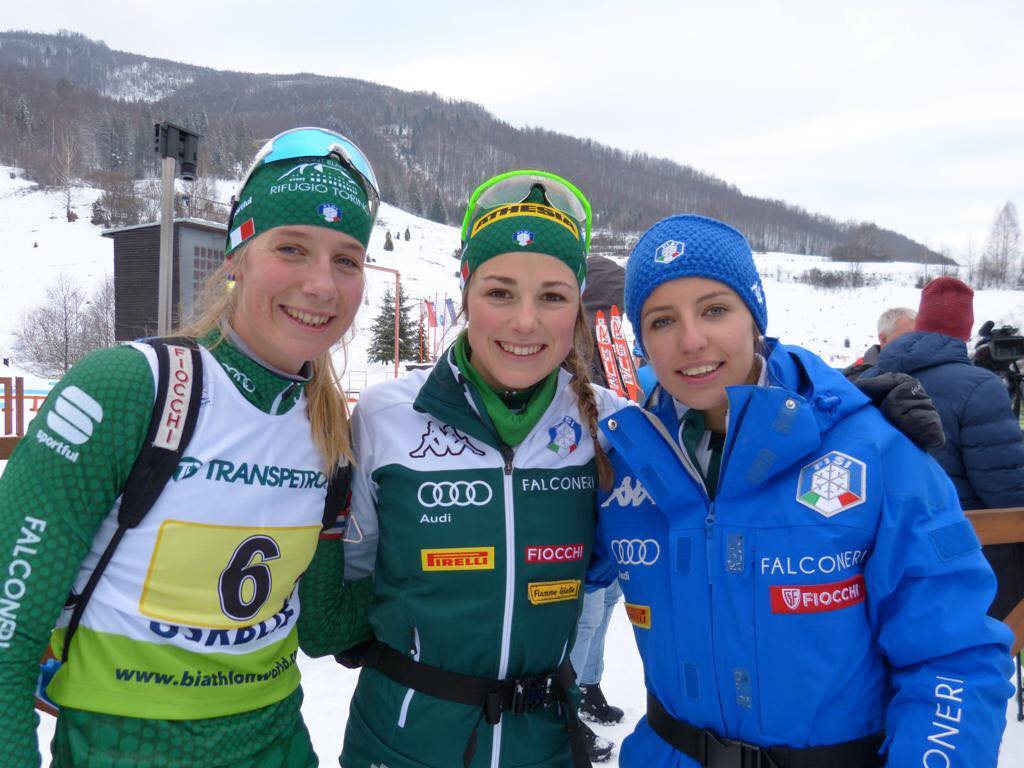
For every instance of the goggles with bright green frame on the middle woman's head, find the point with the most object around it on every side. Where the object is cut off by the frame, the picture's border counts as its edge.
(516, 187)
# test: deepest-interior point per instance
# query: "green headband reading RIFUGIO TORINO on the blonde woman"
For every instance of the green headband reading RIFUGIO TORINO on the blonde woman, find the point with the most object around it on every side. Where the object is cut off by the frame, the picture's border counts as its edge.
(320, 192)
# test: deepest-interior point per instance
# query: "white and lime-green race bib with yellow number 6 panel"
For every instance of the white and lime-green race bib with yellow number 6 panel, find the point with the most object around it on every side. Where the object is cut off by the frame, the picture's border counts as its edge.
(195, 616)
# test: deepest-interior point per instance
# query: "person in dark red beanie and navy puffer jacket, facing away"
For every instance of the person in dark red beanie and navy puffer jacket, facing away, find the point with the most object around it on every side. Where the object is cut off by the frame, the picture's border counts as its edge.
(985, 453)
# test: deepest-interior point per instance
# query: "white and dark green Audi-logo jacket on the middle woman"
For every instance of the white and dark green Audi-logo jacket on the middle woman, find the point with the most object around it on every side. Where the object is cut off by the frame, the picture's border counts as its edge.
(479, 553)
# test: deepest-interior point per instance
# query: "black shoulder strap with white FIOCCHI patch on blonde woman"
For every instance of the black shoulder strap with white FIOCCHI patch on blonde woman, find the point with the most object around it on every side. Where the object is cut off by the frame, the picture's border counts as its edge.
(176, 411)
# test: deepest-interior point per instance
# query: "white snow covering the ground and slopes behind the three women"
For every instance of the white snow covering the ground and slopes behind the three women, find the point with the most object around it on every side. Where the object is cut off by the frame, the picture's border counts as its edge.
(40, 244)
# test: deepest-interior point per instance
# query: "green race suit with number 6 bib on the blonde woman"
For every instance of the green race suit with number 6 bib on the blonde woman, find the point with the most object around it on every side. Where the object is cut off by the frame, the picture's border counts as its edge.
(167, 668)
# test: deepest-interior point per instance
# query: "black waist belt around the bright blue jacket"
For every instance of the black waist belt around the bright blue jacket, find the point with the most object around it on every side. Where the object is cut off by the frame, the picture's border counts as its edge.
(716, 752)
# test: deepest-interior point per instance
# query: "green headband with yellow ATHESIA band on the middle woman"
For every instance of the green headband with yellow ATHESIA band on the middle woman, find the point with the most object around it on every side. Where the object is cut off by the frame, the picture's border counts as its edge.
(532, 227)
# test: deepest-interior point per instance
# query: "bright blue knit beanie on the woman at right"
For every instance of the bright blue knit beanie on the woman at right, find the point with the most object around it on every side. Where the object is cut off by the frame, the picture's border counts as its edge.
(689, 246)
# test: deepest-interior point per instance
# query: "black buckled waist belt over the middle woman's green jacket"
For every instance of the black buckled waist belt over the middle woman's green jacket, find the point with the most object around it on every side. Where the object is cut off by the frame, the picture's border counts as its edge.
(516, 696)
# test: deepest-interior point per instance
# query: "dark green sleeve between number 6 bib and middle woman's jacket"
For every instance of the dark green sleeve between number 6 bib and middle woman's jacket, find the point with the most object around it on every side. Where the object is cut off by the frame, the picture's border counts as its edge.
(333, 614)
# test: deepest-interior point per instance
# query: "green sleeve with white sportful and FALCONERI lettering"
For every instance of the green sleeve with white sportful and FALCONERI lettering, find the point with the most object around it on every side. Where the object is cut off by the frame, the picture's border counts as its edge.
(58, 488)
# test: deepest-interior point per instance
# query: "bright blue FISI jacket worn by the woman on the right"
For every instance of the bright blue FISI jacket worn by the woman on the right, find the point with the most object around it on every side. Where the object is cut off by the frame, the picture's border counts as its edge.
(832, 590)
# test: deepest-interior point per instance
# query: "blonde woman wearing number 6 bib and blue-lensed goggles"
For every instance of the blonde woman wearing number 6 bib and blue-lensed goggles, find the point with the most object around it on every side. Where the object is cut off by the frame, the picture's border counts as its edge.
(180, 641)
